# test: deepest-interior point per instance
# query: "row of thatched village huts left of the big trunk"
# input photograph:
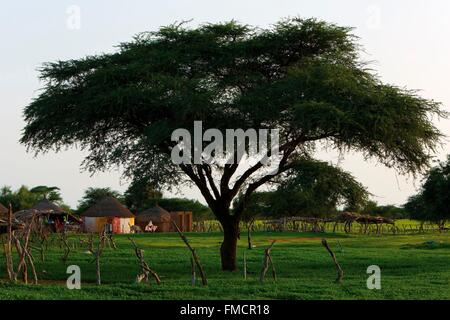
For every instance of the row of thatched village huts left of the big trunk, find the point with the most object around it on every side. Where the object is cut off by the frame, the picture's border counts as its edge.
(107, 215)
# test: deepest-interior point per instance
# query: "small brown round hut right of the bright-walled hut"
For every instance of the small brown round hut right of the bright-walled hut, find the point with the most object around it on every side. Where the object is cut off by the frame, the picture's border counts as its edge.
(157, 217)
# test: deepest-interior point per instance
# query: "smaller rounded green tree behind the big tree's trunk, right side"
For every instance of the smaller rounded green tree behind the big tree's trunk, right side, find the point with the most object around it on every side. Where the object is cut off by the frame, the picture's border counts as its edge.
(312, 188)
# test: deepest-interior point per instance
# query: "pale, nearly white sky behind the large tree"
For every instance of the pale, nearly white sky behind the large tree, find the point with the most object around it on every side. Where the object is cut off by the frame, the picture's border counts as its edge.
(407, 39)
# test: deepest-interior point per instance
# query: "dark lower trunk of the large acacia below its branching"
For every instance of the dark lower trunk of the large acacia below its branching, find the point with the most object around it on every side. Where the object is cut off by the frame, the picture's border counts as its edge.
(229, 244)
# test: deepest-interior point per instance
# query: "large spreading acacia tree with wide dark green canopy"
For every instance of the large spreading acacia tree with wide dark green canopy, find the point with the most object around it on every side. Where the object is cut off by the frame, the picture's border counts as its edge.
(303, 77)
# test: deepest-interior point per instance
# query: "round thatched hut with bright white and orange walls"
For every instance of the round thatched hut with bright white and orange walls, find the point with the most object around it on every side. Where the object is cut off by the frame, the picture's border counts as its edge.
(108, 213)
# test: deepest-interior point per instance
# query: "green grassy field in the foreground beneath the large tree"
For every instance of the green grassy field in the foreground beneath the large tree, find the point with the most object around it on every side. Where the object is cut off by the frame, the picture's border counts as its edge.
(413, 267)
